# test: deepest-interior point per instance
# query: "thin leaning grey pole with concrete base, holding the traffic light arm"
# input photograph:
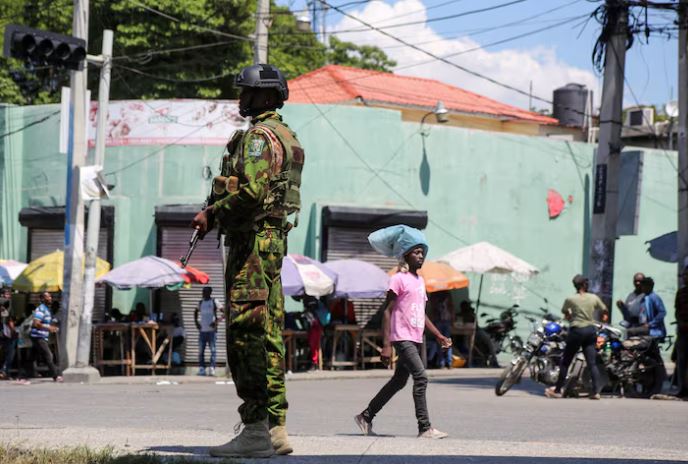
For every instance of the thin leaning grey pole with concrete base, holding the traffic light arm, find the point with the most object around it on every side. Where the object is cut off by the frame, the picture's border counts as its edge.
(84, 371)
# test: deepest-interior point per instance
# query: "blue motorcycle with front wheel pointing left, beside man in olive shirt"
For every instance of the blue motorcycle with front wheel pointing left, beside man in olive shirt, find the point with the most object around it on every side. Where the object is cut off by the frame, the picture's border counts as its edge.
(541, 354)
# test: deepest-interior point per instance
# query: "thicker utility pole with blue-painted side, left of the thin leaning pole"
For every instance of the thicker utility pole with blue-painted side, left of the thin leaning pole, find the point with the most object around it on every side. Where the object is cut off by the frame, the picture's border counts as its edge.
(72, 295)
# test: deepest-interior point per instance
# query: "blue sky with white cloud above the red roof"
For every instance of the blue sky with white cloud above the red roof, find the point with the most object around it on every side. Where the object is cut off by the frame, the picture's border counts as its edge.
(549, 58)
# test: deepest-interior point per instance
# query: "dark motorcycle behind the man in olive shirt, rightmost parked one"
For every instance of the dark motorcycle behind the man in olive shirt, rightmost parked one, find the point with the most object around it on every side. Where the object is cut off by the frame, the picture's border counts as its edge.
(631, 367)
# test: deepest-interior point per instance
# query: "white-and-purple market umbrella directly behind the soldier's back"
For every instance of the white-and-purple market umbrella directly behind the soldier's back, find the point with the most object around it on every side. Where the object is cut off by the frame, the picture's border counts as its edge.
(302, 275)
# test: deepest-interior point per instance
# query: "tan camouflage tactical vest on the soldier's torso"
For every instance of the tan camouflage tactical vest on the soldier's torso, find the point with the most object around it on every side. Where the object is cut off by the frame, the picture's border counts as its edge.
(284, 197)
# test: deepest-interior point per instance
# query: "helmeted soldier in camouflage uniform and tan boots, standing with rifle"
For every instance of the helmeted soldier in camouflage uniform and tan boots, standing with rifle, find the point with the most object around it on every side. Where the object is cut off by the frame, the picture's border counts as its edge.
(256, 191)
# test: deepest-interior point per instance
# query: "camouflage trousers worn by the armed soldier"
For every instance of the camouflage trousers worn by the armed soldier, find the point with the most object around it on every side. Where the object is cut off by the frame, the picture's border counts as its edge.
(255, 348)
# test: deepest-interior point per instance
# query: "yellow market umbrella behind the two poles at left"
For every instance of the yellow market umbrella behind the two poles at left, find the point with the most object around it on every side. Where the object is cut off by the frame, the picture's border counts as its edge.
(44, 274)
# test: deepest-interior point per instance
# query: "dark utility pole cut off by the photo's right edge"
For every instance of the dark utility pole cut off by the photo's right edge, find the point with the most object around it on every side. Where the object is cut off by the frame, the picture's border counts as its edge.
(682, 130)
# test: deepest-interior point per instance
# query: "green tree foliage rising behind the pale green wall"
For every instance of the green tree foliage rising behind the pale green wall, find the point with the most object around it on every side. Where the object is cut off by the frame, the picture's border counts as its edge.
(148, 61)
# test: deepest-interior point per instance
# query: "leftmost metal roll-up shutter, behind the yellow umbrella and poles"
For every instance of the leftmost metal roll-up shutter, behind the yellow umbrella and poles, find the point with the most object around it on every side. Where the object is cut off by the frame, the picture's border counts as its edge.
(45, 241)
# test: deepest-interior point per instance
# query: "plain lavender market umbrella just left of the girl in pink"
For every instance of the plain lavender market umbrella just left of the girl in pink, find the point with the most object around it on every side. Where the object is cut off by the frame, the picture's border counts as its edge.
(358, 279)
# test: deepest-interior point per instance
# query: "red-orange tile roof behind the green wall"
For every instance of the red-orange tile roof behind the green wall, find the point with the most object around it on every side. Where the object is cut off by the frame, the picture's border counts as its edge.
(339, 84)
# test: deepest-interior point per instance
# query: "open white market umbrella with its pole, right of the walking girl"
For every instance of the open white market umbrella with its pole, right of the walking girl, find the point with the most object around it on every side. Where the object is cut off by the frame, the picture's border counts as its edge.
(483, 257)
